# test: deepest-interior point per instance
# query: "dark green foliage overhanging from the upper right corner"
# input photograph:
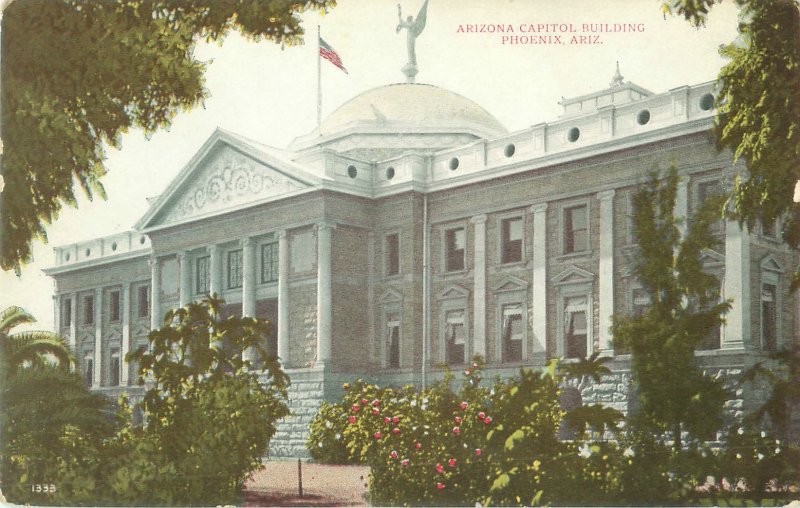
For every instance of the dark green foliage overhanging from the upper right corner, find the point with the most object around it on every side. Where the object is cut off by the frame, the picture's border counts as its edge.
(758, 115)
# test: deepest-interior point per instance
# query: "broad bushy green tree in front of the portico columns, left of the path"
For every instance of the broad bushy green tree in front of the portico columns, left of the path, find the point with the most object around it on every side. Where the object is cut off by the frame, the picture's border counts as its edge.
(209, 412)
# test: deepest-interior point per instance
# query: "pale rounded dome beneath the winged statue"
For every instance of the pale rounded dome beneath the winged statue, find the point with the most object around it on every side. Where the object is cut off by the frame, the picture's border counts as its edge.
(408, 109)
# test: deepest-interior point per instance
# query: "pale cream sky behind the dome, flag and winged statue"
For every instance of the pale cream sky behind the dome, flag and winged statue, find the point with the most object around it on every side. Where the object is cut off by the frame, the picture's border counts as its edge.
(269, 94)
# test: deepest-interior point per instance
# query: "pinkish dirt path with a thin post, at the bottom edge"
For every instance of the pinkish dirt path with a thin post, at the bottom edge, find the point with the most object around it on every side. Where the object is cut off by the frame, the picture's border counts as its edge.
(323, 485)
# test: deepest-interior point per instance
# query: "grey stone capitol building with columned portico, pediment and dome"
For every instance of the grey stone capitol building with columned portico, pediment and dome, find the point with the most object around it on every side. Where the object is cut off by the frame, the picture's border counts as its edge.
(412, 231)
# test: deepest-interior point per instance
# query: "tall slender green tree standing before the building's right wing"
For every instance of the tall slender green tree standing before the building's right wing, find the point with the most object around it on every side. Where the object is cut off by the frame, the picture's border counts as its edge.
(673, 393)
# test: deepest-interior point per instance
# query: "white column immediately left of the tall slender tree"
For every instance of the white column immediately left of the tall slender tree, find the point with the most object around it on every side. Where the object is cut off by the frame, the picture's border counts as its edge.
(606, 270)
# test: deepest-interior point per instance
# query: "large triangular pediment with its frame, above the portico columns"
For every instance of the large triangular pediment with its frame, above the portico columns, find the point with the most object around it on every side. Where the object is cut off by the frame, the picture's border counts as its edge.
(226, 173)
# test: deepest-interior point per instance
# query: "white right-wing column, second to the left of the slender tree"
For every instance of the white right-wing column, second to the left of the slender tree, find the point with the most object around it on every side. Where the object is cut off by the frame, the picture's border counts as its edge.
(539, 287)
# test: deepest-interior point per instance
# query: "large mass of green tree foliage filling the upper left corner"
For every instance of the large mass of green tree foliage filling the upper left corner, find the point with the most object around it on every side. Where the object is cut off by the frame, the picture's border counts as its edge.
(76, 75)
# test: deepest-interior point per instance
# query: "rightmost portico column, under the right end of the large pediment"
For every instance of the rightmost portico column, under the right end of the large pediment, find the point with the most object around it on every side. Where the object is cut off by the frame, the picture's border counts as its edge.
(324, 294)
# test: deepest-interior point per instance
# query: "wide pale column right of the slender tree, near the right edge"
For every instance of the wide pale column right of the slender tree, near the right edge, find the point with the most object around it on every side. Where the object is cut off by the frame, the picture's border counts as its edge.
(736, 285)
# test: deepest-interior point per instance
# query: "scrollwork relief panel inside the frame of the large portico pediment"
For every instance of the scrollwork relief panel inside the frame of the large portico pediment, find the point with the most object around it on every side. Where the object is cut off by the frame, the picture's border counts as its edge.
(224, 179)
